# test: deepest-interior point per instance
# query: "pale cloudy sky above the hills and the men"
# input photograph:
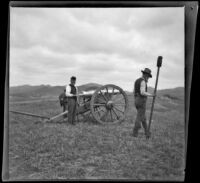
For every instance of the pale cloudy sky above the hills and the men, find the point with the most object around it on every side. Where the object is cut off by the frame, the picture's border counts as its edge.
(97, 45)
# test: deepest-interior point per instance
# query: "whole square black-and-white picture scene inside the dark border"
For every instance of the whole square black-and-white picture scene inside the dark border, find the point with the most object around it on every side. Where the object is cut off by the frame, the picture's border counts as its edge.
(97, 93)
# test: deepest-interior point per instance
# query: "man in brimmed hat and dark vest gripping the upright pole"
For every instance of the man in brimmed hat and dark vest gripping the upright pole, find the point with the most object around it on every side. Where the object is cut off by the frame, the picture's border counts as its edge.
(141, 94)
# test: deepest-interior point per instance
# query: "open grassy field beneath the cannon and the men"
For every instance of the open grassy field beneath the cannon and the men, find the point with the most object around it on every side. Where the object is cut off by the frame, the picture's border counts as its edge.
(92, 151)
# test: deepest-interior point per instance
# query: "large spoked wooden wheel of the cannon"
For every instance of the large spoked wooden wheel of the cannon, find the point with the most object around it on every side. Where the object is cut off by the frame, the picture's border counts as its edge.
(109, 104)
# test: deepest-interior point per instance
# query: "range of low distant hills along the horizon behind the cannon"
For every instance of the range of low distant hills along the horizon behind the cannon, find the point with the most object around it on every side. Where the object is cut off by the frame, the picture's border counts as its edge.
(47, 91)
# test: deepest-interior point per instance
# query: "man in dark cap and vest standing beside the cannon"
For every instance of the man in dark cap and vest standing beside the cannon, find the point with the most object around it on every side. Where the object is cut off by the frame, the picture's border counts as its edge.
(72, 93)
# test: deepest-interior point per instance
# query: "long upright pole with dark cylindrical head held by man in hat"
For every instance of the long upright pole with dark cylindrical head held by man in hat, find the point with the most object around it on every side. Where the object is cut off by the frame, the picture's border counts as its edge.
(159, 63)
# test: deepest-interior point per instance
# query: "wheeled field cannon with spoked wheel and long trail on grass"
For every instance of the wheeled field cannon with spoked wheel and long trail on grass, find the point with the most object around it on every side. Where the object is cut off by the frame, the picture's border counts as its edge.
(107, 104)
